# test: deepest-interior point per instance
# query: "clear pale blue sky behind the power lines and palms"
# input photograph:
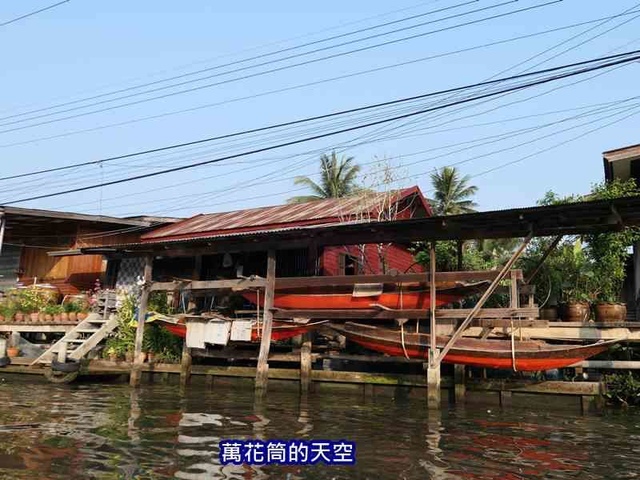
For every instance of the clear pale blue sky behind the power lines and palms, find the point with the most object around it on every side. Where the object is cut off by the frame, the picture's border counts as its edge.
(62, 66)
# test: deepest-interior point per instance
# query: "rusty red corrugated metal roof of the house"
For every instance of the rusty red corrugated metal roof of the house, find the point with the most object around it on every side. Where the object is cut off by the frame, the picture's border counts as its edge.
(321, 212)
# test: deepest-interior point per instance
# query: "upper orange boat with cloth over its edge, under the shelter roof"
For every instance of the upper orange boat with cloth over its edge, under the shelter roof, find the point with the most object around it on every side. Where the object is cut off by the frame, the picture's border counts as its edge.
(362, 296)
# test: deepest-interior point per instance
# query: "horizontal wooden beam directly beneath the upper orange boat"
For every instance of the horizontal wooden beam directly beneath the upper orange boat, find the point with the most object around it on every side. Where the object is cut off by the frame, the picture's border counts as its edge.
(376, 314)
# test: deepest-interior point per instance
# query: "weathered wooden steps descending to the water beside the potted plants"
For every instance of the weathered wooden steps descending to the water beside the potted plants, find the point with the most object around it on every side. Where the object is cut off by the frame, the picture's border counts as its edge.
(85, 336)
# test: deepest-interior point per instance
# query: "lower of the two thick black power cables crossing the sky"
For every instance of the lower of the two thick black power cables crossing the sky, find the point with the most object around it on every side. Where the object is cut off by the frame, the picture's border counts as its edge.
(615, 60)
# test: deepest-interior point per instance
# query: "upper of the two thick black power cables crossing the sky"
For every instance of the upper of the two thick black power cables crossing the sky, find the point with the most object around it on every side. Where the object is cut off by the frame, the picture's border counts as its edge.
(329, 115)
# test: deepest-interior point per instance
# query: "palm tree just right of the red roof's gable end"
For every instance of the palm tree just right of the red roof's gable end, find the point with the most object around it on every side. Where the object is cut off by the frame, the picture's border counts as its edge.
(452, 193)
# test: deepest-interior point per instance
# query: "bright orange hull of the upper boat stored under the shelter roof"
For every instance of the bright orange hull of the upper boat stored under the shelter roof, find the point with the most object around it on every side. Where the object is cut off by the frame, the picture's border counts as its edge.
(396, 300)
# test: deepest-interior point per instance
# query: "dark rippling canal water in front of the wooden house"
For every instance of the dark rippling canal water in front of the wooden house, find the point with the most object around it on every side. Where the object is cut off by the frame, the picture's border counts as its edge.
(108, 431)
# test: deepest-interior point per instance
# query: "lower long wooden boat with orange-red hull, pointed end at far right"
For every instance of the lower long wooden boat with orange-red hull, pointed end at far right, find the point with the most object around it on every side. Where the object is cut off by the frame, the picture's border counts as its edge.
(526, 355)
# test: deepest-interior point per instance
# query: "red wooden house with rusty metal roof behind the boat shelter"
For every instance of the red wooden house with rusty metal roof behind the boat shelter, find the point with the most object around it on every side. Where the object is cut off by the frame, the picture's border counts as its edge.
(333, 260)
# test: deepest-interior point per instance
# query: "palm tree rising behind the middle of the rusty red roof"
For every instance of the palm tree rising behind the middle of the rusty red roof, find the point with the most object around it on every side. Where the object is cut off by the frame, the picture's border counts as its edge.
(337, 179)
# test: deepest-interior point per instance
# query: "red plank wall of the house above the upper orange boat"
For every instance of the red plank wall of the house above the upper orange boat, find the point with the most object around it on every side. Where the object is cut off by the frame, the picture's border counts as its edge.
(396, 257)
